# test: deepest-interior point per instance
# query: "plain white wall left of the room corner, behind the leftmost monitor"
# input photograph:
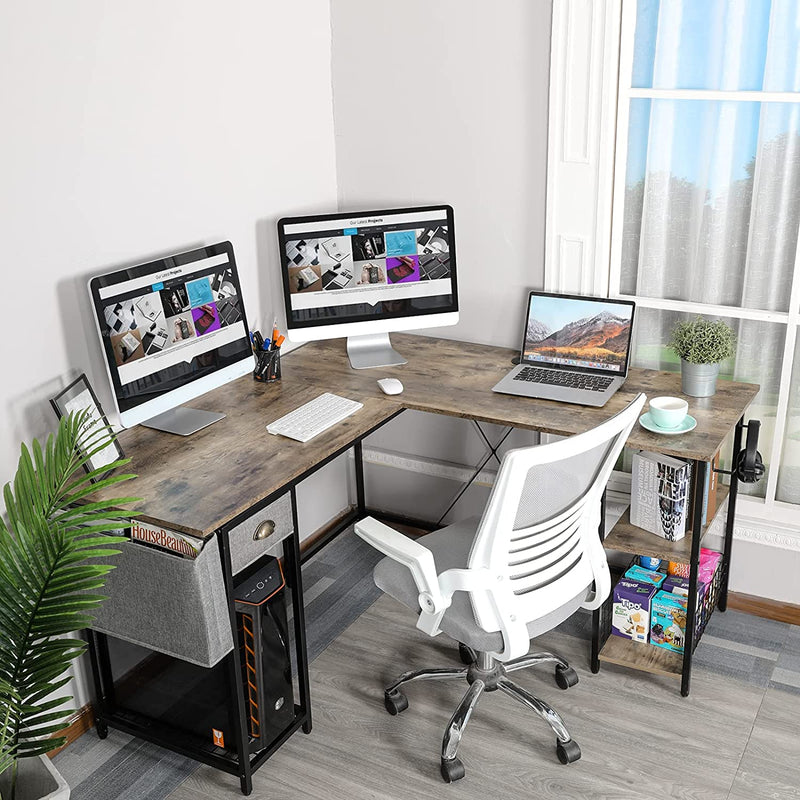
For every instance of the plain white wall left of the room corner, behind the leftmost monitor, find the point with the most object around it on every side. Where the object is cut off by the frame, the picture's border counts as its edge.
(133, 130)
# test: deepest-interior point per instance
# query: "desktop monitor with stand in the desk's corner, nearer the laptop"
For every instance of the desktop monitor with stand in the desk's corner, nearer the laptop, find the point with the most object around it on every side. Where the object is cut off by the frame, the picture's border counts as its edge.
(365, 274)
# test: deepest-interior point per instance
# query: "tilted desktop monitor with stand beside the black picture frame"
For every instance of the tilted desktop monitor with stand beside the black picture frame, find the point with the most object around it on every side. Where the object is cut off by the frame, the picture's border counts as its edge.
(171, 330)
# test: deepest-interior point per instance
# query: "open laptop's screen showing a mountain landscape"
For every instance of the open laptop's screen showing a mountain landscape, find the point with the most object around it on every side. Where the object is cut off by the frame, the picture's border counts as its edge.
(578, 333)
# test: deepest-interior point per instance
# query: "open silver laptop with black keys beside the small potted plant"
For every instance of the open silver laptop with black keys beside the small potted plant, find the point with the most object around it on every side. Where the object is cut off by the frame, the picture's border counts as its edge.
(574, 349)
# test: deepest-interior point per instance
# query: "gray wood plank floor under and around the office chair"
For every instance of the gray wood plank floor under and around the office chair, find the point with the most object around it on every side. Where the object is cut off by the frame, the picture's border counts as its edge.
(730, 740)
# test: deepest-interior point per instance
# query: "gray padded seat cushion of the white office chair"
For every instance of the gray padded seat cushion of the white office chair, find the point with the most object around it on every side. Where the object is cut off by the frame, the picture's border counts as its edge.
(450, 547)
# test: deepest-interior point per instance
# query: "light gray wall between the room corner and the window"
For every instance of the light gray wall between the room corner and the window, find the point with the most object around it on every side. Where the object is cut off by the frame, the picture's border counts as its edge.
(447, 102)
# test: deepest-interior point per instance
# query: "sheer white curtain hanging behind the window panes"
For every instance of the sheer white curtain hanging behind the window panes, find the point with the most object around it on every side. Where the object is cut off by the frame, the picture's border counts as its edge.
(713, 187)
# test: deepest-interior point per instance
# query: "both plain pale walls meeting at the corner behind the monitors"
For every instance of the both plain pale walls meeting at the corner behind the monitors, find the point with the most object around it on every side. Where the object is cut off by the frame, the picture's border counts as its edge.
(136, 130)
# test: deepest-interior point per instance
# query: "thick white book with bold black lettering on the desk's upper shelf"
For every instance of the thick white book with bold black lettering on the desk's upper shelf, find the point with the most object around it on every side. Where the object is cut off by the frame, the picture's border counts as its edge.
(660, 492)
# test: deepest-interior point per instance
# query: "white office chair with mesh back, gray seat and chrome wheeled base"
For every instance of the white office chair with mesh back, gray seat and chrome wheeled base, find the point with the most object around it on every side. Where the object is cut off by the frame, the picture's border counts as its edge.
(532, 559)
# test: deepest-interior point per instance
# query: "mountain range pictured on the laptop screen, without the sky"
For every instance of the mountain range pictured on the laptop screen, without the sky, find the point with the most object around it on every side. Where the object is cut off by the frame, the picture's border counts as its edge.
(602, 337)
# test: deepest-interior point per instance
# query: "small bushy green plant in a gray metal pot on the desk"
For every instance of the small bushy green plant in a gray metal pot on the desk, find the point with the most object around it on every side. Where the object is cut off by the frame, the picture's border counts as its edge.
(701, 345)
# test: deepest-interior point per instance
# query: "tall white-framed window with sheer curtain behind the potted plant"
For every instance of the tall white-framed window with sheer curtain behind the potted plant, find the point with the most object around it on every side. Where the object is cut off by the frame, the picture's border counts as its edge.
(707, 198)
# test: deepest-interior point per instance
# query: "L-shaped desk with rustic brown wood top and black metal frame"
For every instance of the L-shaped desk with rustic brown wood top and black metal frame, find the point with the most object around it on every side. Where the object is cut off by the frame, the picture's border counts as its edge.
(235, 484)
